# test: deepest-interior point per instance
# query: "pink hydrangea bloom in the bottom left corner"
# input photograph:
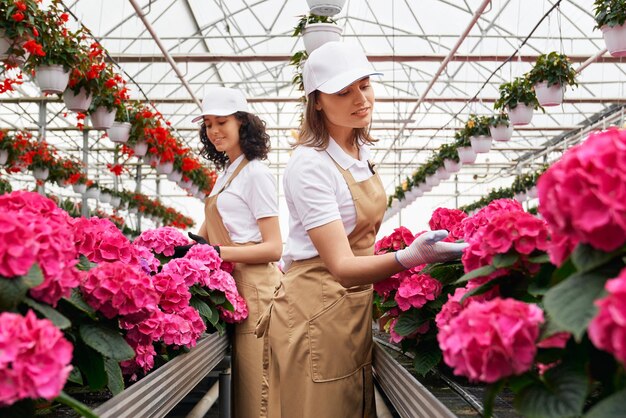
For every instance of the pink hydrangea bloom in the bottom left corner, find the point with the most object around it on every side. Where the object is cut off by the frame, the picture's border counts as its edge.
(34, 358)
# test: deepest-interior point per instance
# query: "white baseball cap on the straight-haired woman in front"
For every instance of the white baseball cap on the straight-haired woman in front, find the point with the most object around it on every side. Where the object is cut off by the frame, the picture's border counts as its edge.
(334, 66)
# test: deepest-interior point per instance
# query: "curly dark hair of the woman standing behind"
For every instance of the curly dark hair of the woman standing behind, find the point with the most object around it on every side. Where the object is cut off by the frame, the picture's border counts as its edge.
(254, 141)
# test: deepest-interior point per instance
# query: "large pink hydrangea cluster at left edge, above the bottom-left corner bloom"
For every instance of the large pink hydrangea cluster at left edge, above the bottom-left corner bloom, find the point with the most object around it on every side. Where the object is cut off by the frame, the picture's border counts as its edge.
(34, 229)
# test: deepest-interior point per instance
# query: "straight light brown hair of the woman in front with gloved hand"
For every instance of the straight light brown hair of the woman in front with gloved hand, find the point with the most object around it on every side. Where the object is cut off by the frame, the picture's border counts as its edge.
(313, 132)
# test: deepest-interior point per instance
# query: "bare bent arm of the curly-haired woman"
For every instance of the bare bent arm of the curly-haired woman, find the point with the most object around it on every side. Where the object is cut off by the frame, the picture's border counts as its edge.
(270, 249)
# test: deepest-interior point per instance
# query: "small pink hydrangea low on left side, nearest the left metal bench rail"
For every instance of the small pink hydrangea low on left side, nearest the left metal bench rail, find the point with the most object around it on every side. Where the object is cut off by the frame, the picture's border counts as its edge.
(183, 328)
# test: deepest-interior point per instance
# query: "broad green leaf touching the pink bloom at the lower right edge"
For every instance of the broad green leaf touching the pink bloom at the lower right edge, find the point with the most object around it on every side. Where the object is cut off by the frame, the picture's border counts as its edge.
(571, 303)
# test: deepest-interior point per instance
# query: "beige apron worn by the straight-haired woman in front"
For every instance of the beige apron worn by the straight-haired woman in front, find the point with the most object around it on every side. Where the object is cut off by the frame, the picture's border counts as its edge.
(318, 334)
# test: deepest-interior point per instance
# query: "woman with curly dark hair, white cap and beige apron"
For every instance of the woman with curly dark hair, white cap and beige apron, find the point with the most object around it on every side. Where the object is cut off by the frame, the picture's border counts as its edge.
(241, 219)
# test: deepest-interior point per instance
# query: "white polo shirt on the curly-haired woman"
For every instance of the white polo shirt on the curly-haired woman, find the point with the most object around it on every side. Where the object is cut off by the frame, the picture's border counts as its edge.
(250, 196)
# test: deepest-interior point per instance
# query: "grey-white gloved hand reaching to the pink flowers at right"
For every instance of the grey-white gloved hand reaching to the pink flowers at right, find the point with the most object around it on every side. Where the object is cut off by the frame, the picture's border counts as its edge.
(427, 249)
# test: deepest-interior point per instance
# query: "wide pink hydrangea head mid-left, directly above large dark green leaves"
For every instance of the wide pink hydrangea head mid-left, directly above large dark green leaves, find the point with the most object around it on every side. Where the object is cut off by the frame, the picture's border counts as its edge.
(120, 289)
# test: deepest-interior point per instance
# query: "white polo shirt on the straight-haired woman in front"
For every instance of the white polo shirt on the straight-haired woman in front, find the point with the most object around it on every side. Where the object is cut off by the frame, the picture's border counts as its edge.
(317, 194)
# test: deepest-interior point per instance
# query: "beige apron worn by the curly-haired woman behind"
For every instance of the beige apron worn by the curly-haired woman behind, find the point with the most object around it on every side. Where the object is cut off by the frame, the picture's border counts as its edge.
(256, 284)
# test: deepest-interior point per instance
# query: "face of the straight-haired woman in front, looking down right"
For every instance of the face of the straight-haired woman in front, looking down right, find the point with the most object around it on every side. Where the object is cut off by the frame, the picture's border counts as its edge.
(351, 107)
